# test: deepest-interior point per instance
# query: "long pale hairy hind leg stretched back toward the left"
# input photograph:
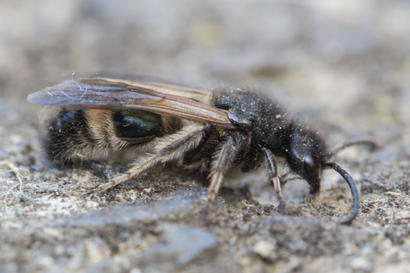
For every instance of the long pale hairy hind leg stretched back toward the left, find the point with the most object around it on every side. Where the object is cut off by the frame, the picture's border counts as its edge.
(166, 149)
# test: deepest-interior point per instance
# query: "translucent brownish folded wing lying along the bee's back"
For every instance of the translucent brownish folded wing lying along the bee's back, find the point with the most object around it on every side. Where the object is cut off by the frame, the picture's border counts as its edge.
(160, 98)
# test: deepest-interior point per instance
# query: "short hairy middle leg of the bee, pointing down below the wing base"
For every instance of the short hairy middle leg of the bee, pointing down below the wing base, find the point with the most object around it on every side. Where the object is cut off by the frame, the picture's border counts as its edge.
(223, 161)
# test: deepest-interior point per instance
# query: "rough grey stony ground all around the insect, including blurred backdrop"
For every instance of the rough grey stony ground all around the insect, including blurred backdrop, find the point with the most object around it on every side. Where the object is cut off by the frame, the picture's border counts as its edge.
(342, 66)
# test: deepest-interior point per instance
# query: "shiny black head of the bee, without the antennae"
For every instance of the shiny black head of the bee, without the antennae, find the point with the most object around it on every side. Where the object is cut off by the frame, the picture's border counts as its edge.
(306, 157)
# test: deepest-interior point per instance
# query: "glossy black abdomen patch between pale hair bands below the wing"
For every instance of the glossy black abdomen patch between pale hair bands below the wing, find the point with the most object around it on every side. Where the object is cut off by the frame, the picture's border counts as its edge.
(134, 124)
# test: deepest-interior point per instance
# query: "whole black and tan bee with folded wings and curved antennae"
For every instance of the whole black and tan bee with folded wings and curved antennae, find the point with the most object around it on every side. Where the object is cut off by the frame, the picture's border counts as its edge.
(155, 122)
